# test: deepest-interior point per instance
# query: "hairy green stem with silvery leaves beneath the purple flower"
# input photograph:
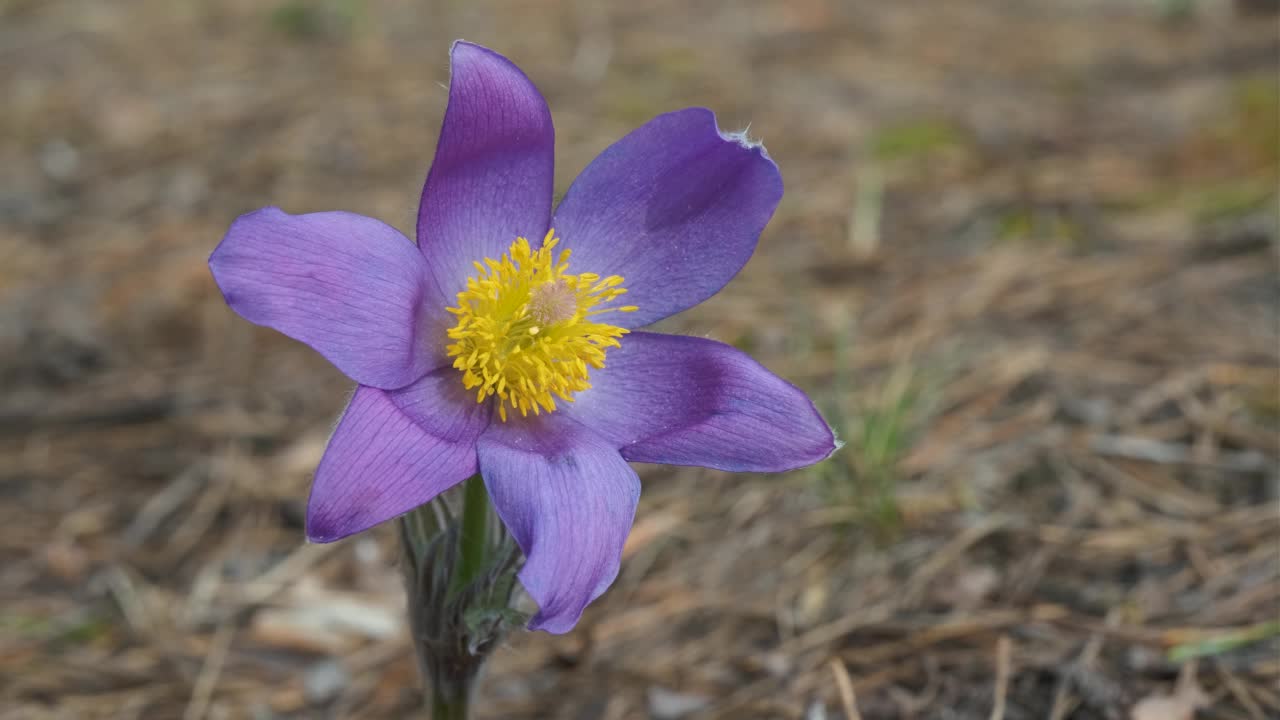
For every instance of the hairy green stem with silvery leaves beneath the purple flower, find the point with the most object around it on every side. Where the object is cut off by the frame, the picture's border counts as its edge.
(460, 572)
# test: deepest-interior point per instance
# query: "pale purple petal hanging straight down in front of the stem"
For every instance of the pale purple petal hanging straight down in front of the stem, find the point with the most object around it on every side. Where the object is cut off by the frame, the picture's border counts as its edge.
(569, 499)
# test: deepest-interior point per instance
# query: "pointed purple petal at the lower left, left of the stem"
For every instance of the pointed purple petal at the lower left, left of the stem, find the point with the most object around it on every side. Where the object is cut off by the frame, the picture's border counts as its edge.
(381, 464)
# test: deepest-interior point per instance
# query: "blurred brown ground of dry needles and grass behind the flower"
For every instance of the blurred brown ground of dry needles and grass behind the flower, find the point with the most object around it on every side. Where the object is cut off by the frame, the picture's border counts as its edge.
(1026, 263)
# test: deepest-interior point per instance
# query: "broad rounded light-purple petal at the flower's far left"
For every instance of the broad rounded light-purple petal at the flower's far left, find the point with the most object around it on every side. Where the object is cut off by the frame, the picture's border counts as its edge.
(351, 288)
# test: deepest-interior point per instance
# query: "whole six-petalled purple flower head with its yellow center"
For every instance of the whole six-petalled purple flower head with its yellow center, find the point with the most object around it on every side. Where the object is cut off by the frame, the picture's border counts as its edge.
(479, 350)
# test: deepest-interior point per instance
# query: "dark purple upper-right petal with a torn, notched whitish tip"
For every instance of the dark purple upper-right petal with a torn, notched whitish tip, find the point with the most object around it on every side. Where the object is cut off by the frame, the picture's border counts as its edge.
(675, 208)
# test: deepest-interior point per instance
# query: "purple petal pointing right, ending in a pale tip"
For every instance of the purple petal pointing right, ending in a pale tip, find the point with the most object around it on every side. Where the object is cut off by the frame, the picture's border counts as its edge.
(692, 402)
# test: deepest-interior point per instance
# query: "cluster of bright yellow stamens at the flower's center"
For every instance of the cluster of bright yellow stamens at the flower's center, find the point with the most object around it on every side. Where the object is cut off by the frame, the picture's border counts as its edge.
(525, 331)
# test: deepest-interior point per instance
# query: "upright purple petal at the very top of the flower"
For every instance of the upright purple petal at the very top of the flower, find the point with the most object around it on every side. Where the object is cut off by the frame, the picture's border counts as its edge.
(492, 176)
